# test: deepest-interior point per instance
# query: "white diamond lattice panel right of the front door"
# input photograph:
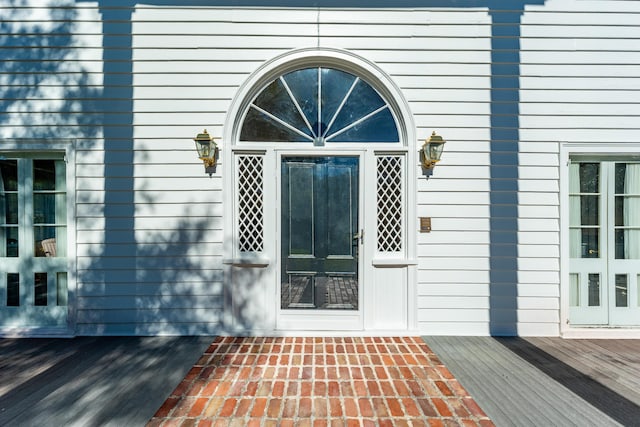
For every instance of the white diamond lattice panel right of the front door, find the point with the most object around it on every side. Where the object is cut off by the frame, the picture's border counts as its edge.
(389, 198)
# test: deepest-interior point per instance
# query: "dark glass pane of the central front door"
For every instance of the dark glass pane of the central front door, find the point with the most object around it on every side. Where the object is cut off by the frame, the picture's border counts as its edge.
(319, 233)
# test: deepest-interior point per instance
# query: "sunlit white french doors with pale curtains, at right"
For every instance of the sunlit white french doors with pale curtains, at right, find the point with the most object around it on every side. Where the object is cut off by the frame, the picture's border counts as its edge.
(604, 210)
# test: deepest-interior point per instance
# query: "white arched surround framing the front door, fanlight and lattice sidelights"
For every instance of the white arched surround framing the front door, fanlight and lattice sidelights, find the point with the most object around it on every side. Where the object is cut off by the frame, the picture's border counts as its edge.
(263, 267)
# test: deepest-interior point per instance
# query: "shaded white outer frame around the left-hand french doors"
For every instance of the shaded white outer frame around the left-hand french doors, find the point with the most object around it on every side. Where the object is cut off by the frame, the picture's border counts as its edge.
(43, 149)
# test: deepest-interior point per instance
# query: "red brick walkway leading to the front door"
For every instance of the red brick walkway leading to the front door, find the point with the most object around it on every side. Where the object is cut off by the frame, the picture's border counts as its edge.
(261, 381)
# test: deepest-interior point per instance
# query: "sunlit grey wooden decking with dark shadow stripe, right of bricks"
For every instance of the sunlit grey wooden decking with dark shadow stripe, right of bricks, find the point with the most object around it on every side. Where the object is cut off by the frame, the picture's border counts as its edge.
(546, 381)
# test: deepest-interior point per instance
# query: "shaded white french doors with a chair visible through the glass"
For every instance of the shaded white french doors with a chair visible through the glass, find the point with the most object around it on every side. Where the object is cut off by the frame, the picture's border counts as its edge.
(33, 243)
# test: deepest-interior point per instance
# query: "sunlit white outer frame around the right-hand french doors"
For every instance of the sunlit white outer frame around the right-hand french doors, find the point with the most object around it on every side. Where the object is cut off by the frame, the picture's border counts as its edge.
(599, 152)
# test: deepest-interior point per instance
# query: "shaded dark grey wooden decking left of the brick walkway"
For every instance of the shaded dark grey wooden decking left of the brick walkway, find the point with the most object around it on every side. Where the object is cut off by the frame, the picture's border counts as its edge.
(91, 381)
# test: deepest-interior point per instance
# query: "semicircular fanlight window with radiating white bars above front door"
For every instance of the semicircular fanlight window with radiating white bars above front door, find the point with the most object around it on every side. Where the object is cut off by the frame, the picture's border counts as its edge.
(319, 105)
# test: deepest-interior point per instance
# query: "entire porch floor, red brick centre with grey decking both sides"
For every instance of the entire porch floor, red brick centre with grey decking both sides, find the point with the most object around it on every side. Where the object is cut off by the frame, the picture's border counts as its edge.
(124, 381)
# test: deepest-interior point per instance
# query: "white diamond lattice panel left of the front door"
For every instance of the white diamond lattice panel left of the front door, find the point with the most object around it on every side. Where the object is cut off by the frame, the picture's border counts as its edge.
(250, 204)
